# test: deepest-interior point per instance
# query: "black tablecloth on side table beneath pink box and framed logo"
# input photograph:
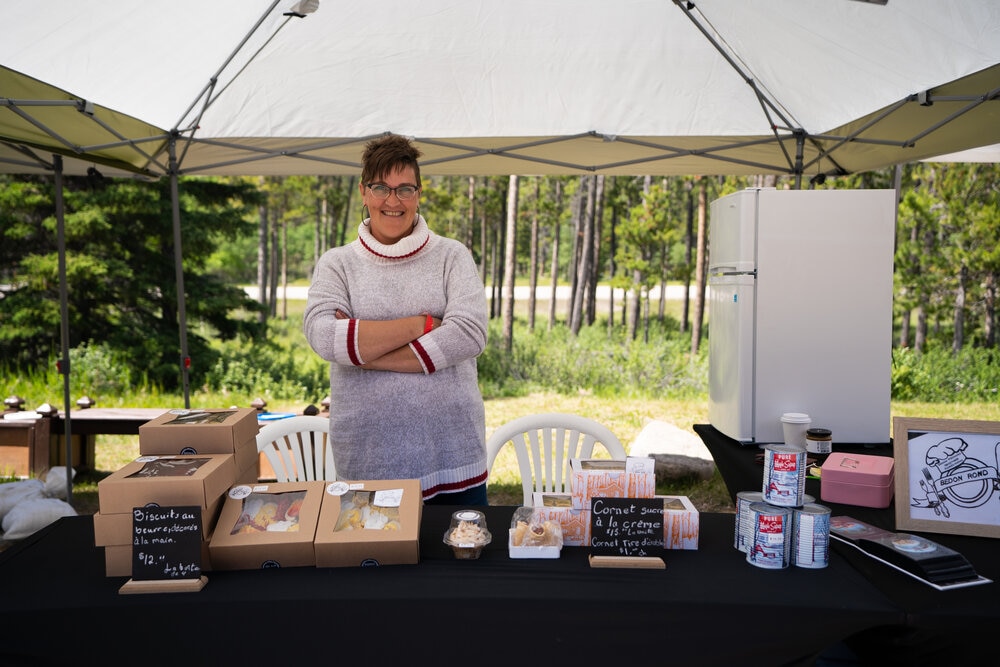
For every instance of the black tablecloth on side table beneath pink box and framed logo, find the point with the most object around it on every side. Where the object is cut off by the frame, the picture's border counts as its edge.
(938, 622)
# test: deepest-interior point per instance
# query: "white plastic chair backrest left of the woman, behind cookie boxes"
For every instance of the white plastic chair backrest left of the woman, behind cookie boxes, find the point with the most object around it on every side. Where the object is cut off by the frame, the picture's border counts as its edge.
(298, 448)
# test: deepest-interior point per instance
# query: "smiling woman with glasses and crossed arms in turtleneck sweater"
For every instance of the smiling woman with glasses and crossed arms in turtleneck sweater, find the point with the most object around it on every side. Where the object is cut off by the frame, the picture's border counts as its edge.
(401, 315)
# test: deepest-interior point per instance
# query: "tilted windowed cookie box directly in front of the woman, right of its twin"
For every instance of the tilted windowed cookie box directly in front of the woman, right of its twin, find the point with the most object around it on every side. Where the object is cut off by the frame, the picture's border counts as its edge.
(369, 523)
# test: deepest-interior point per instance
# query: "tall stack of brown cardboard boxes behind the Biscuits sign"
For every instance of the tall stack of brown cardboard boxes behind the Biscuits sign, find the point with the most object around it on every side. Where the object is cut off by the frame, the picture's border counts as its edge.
(187, 458)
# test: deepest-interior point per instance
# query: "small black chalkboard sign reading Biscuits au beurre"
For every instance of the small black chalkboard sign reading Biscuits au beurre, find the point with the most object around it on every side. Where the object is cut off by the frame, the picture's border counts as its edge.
(166, 543)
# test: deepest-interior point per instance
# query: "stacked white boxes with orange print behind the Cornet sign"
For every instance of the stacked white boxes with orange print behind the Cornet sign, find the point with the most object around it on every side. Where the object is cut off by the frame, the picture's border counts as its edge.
(601, 478)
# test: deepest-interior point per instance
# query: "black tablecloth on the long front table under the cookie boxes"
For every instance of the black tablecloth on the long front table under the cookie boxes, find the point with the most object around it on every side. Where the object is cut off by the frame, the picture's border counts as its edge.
(706, 607)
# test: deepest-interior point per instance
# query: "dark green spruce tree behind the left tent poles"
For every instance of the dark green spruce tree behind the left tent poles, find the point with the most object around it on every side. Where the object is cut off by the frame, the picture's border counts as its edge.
(120, 271)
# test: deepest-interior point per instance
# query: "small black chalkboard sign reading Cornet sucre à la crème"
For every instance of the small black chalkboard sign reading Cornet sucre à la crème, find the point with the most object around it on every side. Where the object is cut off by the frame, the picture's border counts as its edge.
(626, 526)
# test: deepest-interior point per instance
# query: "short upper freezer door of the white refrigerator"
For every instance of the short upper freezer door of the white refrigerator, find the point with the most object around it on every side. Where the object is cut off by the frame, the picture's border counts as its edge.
(732, 233)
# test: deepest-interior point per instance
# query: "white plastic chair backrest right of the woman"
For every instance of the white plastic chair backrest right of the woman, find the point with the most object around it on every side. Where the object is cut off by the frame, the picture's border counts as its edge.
(545, 443)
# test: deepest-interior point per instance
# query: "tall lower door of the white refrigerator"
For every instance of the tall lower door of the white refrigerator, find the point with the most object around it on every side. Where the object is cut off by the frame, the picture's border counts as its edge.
(731, 355)
